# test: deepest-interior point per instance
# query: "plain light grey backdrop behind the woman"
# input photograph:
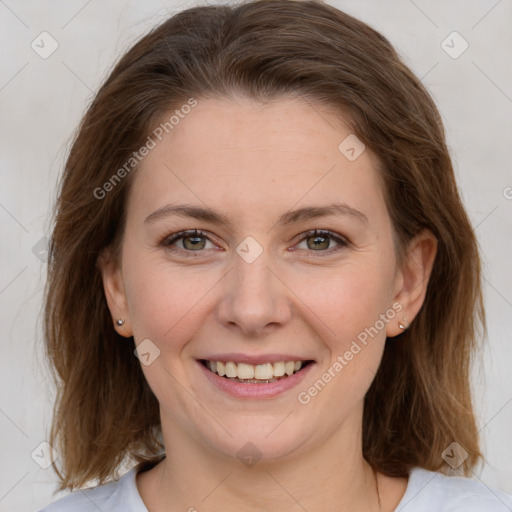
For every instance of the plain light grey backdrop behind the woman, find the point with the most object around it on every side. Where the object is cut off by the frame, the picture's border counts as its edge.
(43, 99)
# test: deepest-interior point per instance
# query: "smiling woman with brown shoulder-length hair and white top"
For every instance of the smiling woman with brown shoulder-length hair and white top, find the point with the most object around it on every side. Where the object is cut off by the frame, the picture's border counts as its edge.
(261, 278)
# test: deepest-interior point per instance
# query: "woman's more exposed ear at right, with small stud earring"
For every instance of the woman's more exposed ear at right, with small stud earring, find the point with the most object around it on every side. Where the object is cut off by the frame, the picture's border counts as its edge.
(412, 279)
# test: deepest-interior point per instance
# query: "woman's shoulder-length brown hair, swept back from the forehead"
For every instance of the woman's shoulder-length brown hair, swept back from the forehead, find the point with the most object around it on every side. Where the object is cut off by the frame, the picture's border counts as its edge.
(420, 400)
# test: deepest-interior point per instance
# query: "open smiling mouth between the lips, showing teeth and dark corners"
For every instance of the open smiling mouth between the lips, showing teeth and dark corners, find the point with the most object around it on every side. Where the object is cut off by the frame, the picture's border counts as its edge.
(264, 373)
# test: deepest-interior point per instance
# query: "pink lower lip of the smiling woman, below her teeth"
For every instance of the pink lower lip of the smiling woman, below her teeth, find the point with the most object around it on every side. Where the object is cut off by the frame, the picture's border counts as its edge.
(250, 390)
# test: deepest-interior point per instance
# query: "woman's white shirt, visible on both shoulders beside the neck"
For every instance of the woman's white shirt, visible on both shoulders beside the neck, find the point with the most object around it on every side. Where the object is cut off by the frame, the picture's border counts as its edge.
(426, 491)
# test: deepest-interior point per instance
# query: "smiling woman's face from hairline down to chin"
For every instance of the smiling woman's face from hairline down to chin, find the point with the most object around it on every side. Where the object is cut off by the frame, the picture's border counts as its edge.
(258, 286)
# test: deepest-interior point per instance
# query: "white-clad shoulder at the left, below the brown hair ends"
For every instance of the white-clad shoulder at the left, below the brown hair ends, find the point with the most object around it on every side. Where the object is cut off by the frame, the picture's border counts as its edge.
(118, 496)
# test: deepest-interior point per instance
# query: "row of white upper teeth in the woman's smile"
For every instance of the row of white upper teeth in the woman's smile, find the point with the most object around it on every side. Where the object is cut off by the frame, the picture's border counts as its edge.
(261, 372)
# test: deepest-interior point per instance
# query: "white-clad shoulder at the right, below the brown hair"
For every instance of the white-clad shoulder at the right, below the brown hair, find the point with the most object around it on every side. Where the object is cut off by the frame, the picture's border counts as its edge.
(428, 490)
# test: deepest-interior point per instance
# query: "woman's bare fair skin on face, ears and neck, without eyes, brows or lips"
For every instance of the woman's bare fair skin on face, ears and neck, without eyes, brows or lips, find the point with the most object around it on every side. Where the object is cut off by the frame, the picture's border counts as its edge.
(253, 162)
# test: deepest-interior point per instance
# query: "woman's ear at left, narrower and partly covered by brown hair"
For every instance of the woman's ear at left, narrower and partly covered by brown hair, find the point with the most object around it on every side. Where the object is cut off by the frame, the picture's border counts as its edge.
(115, 294)
